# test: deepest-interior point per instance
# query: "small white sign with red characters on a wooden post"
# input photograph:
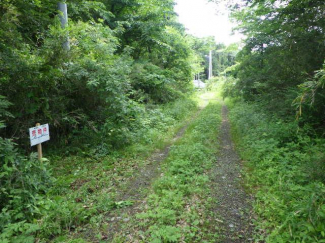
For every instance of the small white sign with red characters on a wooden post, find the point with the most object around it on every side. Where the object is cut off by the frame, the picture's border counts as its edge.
(38, 135)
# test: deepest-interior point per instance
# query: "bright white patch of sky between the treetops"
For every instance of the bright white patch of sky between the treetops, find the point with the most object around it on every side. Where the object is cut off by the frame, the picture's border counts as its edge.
(203, 19)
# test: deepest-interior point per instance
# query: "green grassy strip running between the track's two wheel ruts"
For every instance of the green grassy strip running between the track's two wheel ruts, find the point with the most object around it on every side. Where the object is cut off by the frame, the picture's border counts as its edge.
(176, 205)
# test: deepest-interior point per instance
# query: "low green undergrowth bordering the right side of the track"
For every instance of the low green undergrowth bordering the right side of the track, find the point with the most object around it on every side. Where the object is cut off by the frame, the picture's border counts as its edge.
(285, 170)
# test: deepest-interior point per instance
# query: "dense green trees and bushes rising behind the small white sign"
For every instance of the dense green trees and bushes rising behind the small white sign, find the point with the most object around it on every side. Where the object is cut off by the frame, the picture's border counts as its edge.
(117, 62)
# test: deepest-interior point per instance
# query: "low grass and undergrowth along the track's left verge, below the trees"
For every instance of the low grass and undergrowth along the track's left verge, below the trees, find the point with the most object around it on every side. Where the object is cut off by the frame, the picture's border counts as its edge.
(39, 206)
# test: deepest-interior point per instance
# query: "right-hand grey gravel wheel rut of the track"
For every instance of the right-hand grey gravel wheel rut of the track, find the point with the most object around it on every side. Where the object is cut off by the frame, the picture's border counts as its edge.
(233, 204)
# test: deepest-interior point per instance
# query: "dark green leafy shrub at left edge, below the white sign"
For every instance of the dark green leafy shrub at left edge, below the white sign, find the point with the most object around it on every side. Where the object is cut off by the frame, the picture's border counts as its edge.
(24, 182)
